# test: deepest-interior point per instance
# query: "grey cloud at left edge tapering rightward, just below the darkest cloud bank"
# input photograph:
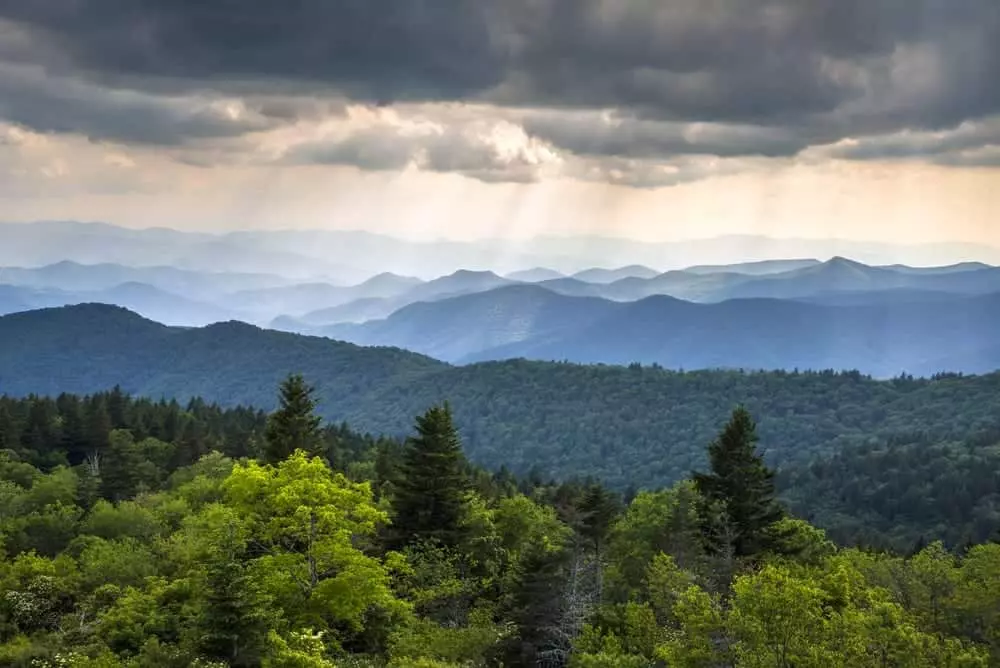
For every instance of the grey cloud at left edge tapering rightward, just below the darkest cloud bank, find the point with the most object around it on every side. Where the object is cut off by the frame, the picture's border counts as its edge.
(63, 105)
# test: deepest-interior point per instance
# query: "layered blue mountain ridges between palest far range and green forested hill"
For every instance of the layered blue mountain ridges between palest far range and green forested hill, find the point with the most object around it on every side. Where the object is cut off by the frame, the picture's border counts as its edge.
(801, 313)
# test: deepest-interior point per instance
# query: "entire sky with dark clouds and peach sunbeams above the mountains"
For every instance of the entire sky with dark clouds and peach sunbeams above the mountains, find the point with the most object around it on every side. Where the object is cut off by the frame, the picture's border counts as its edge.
(655, 120)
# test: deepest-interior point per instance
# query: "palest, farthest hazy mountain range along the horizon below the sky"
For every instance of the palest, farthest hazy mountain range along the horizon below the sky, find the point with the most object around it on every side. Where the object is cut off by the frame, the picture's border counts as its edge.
(348, 257)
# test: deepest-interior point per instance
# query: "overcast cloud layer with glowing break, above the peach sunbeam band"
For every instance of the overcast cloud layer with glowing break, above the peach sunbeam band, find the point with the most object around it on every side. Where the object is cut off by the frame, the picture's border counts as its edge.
(636, 92)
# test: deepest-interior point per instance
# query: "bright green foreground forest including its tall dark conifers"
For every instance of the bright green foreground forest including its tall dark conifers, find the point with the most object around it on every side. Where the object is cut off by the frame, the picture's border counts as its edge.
(138, 533)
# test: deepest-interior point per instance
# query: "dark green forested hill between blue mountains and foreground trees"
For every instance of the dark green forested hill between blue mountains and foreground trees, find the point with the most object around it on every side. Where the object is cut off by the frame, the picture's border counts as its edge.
(629, 425)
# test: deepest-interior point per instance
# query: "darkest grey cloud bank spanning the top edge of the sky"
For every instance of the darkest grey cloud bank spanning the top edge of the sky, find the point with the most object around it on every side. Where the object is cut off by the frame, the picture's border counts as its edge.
(770, 61)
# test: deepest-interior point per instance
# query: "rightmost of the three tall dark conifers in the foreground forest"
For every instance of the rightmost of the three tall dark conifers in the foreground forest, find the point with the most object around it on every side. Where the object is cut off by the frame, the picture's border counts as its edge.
(740, 492)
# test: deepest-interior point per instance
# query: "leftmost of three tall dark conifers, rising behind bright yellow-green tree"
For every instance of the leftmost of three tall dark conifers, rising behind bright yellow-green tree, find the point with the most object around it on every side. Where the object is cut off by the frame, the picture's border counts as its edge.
(294, 426)
